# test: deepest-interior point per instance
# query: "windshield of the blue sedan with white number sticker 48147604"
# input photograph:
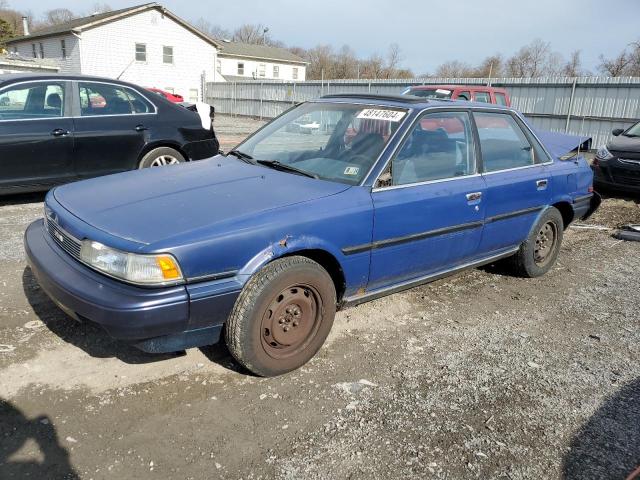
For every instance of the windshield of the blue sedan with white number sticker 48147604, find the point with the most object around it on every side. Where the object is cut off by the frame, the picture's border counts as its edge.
(336, 142)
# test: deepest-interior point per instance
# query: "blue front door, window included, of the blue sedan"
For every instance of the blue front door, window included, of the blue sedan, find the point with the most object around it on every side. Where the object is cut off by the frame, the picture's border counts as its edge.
(429, 205)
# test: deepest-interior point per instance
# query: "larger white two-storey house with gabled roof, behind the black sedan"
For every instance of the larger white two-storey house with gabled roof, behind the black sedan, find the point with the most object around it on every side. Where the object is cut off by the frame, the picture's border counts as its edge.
(146, 44)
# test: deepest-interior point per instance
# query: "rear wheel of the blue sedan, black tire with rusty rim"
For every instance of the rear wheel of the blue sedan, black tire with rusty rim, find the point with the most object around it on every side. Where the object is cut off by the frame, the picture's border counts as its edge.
(539, 252)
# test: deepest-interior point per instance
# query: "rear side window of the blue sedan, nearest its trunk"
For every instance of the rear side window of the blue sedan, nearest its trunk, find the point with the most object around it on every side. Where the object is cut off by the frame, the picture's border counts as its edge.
(503, 143)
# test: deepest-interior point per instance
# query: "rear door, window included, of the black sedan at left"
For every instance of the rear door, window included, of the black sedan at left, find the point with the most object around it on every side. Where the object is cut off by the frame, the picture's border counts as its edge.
(111, 128)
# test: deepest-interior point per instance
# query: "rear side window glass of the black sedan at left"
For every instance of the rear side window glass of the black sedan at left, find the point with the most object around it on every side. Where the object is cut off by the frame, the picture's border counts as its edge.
(99, 99)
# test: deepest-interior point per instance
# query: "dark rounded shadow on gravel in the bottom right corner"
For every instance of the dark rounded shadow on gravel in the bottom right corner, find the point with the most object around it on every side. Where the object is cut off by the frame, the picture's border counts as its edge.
(608, 445)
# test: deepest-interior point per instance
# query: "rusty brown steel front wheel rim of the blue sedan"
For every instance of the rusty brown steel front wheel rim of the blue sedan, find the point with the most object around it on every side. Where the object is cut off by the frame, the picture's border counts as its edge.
(291, 321)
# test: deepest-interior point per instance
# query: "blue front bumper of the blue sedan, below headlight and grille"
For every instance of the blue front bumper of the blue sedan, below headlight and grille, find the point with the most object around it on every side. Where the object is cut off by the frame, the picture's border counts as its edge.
(153, 319)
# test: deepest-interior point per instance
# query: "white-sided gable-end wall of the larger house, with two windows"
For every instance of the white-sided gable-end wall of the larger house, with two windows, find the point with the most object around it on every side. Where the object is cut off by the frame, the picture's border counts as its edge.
(109, 50)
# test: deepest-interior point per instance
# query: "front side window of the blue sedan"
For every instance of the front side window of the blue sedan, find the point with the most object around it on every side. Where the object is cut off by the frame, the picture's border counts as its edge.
(439, 147)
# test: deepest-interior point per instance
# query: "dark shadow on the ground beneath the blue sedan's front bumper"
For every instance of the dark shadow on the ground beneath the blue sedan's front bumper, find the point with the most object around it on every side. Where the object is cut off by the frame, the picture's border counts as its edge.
(87, 336)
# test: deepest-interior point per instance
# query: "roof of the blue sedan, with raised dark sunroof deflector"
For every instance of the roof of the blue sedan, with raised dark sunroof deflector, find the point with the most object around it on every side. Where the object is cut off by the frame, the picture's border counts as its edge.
(406, 101)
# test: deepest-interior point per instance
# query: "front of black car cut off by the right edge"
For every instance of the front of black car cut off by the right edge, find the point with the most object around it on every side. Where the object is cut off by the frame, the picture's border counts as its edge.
(617, 165)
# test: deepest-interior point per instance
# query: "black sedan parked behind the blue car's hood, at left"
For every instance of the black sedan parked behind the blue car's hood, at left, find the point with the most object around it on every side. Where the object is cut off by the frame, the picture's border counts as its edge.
(57, 128)
